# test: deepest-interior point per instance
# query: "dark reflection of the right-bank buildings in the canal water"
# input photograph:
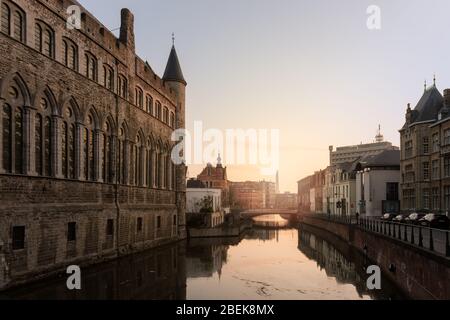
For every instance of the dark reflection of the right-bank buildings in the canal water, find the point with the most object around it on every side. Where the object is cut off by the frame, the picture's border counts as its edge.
(345, 264)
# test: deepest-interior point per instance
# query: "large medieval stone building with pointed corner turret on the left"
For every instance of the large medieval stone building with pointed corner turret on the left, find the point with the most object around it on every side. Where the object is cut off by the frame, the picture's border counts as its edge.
(85, 140)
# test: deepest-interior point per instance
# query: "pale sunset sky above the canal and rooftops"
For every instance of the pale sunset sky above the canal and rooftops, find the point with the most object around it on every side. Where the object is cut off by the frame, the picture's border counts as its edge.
(311, 69)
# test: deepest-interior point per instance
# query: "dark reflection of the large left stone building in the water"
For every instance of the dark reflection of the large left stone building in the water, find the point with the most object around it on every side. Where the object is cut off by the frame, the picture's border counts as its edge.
(155, 274)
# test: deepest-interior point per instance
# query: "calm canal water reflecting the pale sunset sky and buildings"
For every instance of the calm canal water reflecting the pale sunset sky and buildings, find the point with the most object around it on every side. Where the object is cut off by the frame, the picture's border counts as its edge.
(266, 263)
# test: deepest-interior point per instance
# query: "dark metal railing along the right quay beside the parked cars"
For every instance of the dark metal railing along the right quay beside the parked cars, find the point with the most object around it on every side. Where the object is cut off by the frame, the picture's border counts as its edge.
(434, 240)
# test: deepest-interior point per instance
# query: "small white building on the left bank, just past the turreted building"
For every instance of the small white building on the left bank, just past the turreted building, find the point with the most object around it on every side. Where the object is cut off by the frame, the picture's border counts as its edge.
(205, 201)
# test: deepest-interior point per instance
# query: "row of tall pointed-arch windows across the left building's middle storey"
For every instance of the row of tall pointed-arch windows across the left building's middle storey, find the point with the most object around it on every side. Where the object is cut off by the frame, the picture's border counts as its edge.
(37, 141)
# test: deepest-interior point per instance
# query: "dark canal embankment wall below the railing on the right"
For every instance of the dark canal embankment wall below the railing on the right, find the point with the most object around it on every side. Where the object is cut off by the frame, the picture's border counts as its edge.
(420, 273)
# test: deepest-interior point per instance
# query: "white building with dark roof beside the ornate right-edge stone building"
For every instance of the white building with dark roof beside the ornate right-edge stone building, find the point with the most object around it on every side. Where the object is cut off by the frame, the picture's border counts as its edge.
(377, 184)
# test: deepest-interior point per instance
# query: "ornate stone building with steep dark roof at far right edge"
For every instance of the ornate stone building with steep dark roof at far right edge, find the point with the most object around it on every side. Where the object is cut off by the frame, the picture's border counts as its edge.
(425, 154)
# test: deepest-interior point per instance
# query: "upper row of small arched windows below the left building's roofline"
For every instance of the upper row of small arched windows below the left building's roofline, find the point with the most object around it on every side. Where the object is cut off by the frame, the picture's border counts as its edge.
(13, 23)
